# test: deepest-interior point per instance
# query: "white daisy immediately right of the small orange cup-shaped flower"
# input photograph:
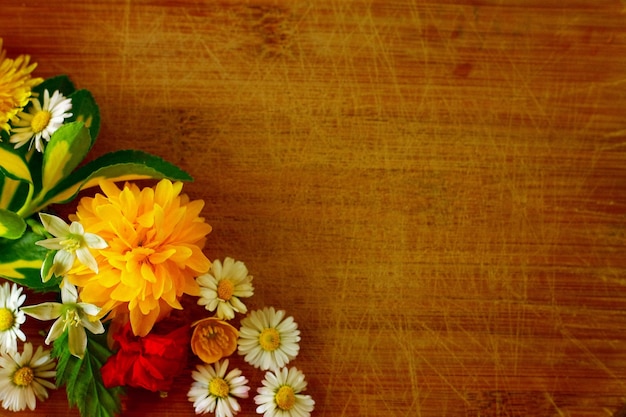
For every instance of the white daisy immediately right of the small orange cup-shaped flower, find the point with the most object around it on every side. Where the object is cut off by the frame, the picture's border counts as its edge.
(268, 341)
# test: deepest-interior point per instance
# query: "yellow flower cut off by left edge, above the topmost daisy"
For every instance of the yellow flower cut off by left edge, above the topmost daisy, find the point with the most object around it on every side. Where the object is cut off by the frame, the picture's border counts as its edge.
(15, 86)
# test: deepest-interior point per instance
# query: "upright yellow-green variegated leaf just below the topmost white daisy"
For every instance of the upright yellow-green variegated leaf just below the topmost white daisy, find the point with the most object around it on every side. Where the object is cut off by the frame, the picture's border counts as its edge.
(67, 148)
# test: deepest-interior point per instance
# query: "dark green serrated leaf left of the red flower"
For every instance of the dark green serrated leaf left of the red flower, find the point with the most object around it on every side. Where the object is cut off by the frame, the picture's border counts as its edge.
(82, 378)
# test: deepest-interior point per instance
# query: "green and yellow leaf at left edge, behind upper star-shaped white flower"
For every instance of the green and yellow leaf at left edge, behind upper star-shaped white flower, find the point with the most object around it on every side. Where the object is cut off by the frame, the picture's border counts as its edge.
(21, 259)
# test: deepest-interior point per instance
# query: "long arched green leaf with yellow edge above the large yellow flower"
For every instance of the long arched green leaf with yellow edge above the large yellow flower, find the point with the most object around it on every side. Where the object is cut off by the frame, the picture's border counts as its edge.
(125, 165)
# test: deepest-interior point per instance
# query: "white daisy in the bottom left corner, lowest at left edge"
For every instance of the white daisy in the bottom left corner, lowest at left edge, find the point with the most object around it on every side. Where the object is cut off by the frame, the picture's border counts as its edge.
(24, 377)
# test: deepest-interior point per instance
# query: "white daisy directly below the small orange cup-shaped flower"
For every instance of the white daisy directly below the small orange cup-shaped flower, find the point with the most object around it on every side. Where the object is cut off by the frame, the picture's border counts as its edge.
(216, 391)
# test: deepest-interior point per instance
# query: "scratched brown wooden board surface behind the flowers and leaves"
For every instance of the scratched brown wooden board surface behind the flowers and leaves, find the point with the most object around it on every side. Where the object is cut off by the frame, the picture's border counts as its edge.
(435, 189)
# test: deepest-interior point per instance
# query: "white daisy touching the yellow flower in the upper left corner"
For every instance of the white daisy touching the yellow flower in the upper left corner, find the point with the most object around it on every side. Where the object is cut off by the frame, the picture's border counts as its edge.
(40, 122)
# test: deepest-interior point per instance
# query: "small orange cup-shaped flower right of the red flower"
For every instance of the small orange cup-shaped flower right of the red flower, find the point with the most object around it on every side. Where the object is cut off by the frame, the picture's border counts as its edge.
(213, 339)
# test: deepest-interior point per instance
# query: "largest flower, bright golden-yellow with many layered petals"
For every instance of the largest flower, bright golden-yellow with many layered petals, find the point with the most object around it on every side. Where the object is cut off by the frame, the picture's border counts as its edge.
(155, 238)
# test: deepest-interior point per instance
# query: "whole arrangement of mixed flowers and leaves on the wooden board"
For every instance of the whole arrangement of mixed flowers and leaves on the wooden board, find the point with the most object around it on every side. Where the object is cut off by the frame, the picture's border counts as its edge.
(117, 271)
